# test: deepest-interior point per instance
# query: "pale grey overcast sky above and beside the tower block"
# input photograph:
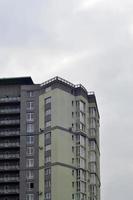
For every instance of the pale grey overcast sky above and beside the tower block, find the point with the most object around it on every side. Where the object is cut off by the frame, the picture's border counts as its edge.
(83, 41)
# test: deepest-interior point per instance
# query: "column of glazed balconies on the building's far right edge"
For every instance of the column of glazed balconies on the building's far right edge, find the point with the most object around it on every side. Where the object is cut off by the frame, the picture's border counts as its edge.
(94, 153)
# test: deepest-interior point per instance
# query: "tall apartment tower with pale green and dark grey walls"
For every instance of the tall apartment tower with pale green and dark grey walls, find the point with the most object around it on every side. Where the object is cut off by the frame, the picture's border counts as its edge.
(49, 141)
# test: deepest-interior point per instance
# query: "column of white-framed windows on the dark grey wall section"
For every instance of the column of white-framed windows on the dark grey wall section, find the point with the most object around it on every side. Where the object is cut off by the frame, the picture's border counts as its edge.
(30, 148)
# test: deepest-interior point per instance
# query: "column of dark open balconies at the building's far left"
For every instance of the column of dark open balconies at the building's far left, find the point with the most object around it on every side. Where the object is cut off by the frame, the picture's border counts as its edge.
(9, 147)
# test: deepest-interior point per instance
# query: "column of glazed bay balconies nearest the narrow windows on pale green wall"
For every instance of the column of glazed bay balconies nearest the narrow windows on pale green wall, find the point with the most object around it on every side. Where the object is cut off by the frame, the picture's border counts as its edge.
(81, 152)
